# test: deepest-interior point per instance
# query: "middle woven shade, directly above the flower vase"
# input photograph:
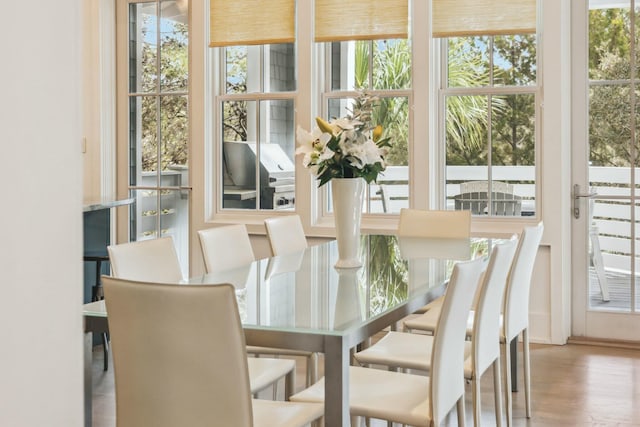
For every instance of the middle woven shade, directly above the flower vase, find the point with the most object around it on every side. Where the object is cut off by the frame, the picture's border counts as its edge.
(340, 20)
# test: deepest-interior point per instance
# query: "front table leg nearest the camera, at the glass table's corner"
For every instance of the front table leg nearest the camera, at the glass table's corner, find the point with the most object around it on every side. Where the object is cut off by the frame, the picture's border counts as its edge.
(336, 383)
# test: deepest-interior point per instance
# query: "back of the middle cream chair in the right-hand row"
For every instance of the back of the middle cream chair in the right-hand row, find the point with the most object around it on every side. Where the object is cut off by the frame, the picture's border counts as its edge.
(486, 325)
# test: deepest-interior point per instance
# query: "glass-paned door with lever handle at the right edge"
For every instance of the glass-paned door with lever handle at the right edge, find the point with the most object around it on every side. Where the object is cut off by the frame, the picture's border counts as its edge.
(606, 175)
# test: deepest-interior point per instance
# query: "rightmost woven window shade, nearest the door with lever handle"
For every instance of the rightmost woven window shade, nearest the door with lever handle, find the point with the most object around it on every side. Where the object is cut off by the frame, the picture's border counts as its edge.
(456, 18)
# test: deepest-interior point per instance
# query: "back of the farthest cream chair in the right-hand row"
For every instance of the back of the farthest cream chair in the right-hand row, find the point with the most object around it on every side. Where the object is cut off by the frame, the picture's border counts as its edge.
(516, 302)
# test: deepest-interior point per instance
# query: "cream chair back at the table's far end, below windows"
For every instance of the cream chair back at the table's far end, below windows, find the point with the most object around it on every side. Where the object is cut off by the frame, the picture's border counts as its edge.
(435, 224)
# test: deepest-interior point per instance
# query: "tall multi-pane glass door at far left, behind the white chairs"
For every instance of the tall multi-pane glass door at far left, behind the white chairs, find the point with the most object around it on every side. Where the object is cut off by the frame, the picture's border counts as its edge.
(153, 118)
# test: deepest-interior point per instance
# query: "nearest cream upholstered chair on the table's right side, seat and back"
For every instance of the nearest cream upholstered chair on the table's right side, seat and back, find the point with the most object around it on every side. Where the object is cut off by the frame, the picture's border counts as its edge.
(418, 400)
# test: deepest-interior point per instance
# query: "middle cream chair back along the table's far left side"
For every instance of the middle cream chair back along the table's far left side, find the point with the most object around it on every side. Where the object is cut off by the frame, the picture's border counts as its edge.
(225, 247)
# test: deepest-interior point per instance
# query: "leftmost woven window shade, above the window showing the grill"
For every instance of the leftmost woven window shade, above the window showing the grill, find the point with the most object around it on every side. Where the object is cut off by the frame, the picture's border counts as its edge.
(251, 22)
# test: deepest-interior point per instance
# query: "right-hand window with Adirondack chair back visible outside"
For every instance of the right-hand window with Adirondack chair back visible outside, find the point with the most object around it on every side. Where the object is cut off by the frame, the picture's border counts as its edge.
(488, 123)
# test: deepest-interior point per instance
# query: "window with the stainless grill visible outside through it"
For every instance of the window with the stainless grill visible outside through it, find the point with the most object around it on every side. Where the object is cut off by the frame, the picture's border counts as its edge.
(257, 127)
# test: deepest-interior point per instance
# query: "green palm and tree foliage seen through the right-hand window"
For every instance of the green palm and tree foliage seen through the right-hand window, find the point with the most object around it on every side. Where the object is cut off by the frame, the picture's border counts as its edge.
(512, 116)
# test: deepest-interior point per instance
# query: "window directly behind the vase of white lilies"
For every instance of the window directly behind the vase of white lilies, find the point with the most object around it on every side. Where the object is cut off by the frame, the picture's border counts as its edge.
(382, 68)
